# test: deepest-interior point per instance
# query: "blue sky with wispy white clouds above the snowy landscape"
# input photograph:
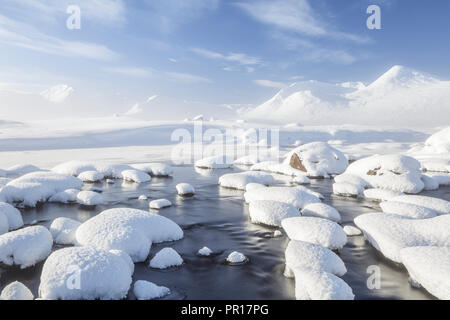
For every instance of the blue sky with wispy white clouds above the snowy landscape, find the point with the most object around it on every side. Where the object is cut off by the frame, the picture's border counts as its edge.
(178, 58)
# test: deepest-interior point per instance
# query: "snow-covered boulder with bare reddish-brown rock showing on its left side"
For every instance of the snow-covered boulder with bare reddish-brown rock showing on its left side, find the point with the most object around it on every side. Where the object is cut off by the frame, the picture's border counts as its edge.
(317, 159)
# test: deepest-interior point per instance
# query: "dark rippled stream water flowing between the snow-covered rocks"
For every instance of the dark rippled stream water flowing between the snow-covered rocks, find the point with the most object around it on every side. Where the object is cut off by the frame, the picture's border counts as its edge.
(218, 218)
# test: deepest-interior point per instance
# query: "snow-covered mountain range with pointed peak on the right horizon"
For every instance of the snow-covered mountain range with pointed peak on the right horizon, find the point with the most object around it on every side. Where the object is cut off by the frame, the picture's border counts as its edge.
(401, 96)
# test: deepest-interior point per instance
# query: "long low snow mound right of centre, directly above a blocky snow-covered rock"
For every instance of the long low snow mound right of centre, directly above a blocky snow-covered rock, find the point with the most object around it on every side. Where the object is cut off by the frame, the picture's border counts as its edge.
(298, 196)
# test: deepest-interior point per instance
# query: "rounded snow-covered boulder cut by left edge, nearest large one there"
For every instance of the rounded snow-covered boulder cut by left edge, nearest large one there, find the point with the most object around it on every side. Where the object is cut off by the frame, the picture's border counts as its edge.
(25, 247)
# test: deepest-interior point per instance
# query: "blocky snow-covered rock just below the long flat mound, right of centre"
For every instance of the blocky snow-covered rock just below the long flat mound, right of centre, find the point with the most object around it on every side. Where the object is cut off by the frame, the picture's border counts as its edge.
(271, 212)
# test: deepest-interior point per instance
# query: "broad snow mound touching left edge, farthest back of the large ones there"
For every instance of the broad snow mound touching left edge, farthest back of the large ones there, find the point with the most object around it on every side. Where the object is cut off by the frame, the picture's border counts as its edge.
(37, 187)
